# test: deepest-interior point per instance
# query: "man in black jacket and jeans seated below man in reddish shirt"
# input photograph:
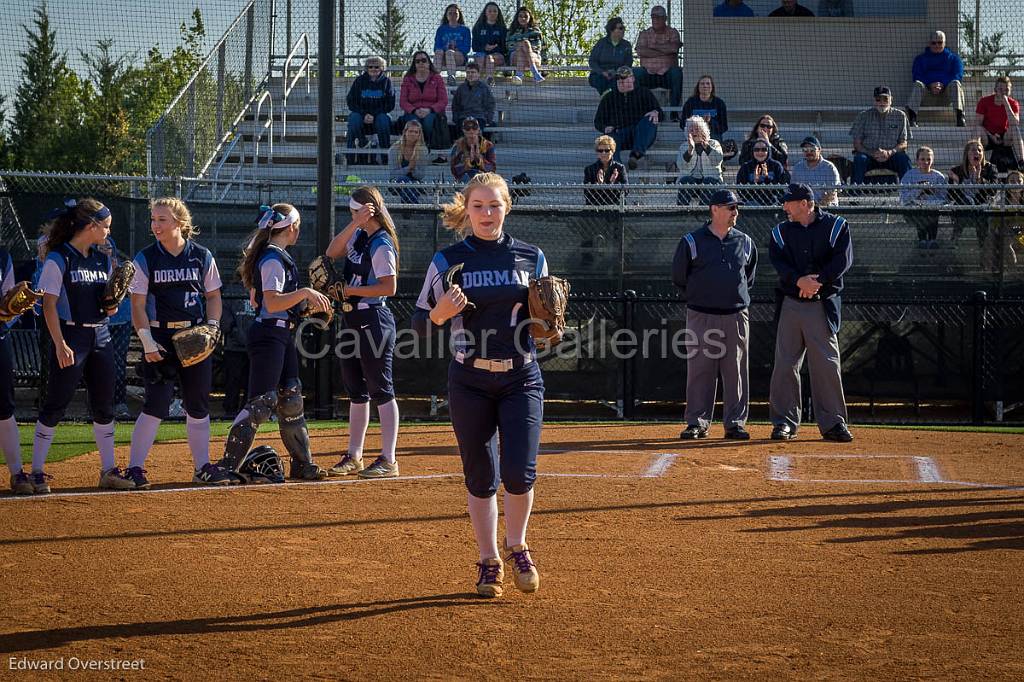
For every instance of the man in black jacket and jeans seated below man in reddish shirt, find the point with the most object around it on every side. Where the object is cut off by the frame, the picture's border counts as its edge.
(630, 114)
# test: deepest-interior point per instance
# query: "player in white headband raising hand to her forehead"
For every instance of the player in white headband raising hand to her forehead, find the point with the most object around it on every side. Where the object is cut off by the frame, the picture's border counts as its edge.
(370, 247)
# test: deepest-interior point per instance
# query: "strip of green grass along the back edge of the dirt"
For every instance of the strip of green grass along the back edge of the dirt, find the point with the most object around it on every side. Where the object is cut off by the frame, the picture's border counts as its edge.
(74, 440)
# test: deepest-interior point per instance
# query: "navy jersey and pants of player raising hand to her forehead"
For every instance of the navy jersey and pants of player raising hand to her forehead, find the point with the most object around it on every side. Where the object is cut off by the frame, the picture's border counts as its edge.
(368, 375)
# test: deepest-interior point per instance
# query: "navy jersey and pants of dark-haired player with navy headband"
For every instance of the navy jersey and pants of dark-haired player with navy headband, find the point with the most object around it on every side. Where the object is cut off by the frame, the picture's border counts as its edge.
(78, 281)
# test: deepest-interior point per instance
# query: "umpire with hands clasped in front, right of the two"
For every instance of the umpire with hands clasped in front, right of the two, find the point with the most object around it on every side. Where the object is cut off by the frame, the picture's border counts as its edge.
(812, 252)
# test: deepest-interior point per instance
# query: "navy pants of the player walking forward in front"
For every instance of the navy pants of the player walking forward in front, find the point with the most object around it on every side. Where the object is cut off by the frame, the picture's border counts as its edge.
(510, 404)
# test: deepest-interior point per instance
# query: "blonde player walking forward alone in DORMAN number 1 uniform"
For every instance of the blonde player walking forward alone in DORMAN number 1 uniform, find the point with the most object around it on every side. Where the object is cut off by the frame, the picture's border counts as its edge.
(495, 383)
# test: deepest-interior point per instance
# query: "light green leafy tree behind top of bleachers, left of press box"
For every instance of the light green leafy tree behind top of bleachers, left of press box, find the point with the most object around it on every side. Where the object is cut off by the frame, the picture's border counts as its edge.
(572, 27)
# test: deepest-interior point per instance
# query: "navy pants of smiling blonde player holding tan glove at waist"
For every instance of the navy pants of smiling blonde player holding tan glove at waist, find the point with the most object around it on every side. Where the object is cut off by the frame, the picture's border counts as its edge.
(196, 381)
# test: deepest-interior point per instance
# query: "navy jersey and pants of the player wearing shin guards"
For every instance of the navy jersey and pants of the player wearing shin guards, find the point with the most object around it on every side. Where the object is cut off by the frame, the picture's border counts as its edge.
(273, 359)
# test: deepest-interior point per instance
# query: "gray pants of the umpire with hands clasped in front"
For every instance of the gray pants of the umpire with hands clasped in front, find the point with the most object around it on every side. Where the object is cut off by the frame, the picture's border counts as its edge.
(803, 329)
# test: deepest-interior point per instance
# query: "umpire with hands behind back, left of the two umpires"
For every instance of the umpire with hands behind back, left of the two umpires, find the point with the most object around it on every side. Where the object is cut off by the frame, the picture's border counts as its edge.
(714, 267)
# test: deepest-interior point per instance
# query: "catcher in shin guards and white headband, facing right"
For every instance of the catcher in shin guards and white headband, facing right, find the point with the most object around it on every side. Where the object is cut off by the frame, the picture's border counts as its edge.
(269, 271)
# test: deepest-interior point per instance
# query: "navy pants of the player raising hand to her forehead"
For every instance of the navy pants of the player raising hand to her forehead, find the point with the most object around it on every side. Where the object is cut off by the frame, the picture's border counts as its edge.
(368, 353)
